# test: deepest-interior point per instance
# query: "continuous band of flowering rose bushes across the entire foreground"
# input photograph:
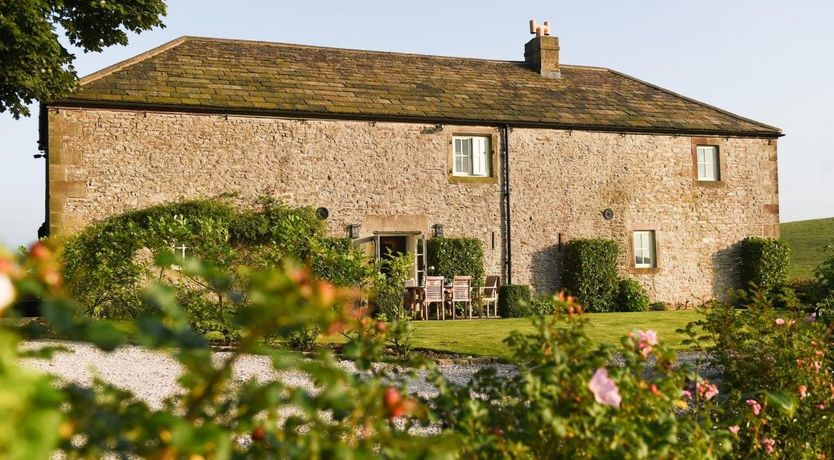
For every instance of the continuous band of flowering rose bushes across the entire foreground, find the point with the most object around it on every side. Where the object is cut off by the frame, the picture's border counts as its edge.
(569, 397)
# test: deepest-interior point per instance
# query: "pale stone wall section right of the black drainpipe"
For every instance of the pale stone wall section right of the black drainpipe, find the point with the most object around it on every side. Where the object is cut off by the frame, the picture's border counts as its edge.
(563, 180)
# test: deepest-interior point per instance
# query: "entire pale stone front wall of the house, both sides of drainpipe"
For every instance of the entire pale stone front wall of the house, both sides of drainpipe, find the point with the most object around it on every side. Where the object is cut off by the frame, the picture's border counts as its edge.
(389, 176)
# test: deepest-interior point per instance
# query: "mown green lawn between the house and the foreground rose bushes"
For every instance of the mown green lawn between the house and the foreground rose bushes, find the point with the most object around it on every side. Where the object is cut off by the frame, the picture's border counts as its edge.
(484, 337)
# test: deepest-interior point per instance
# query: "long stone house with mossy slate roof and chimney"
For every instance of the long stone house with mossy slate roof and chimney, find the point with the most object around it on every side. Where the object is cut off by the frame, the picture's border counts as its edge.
(524, 155)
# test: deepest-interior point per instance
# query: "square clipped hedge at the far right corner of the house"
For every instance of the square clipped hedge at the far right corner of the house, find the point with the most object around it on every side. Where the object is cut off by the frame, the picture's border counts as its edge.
(764, 263)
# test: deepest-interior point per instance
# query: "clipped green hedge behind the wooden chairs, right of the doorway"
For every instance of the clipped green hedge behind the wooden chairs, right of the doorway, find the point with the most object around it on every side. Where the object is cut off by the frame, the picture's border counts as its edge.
(456, 257)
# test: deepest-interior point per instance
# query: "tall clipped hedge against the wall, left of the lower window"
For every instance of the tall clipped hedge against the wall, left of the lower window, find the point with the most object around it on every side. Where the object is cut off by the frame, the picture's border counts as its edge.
(590, 273)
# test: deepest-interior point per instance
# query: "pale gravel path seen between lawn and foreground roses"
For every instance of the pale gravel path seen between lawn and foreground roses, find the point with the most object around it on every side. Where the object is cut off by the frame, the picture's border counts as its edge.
(152, 376)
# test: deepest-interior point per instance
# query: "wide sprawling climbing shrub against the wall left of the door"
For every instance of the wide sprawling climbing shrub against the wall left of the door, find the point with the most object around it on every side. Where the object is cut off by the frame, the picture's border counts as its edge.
(109, 263)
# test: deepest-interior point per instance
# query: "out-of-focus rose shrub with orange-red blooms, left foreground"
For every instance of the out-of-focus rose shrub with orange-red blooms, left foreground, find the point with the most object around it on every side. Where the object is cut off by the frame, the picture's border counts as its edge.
(210, 415)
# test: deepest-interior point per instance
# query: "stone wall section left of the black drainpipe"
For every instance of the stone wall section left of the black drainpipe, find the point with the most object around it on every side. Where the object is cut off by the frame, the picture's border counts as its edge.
(380, 175)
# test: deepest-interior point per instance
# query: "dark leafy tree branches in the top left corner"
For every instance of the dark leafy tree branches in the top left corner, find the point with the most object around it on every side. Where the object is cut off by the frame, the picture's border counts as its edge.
(33, 63)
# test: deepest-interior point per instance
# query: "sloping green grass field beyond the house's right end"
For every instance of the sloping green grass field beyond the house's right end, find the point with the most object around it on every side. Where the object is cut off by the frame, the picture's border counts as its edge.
(807, 238)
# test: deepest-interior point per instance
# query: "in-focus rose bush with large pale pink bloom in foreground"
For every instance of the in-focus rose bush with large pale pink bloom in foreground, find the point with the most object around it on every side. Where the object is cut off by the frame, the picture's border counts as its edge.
(568, 401)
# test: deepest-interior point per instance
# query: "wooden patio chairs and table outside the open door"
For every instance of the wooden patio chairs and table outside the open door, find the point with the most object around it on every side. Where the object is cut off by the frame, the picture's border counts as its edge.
(446, 297)
